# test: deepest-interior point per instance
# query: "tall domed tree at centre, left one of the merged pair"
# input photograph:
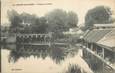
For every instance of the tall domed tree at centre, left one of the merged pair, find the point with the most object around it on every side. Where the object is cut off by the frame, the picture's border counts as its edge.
(56, 20)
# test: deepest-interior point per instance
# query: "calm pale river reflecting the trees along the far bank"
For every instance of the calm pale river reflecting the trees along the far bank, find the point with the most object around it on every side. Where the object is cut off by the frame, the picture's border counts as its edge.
(42, 60)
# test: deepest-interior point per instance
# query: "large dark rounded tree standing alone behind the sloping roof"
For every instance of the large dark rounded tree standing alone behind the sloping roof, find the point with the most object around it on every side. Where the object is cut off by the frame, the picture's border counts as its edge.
(98, 15)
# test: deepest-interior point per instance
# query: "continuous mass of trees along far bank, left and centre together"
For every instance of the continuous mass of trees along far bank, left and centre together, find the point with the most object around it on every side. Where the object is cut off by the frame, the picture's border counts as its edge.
(54, 21)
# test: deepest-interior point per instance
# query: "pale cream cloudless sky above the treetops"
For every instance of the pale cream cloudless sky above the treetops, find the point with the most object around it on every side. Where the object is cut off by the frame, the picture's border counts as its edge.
(80, 7)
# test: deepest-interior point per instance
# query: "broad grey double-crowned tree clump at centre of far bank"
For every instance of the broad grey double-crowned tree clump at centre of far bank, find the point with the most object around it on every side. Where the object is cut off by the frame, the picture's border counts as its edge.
(59, 20)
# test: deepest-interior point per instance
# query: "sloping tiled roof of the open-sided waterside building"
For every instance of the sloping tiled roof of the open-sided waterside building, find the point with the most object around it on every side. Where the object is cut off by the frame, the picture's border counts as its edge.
(104, 37)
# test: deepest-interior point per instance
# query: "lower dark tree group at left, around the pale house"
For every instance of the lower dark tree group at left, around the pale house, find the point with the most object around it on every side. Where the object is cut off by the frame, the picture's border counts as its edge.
(26, 23)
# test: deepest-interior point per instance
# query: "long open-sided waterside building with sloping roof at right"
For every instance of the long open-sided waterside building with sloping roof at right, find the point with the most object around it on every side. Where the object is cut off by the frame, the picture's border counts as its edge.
(100, 43)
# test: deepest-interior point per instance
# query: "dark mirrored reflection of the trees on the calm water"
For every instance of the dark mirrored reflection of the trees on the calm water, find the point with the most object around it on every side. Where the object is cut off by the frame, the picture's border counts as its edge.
(56, 53)
